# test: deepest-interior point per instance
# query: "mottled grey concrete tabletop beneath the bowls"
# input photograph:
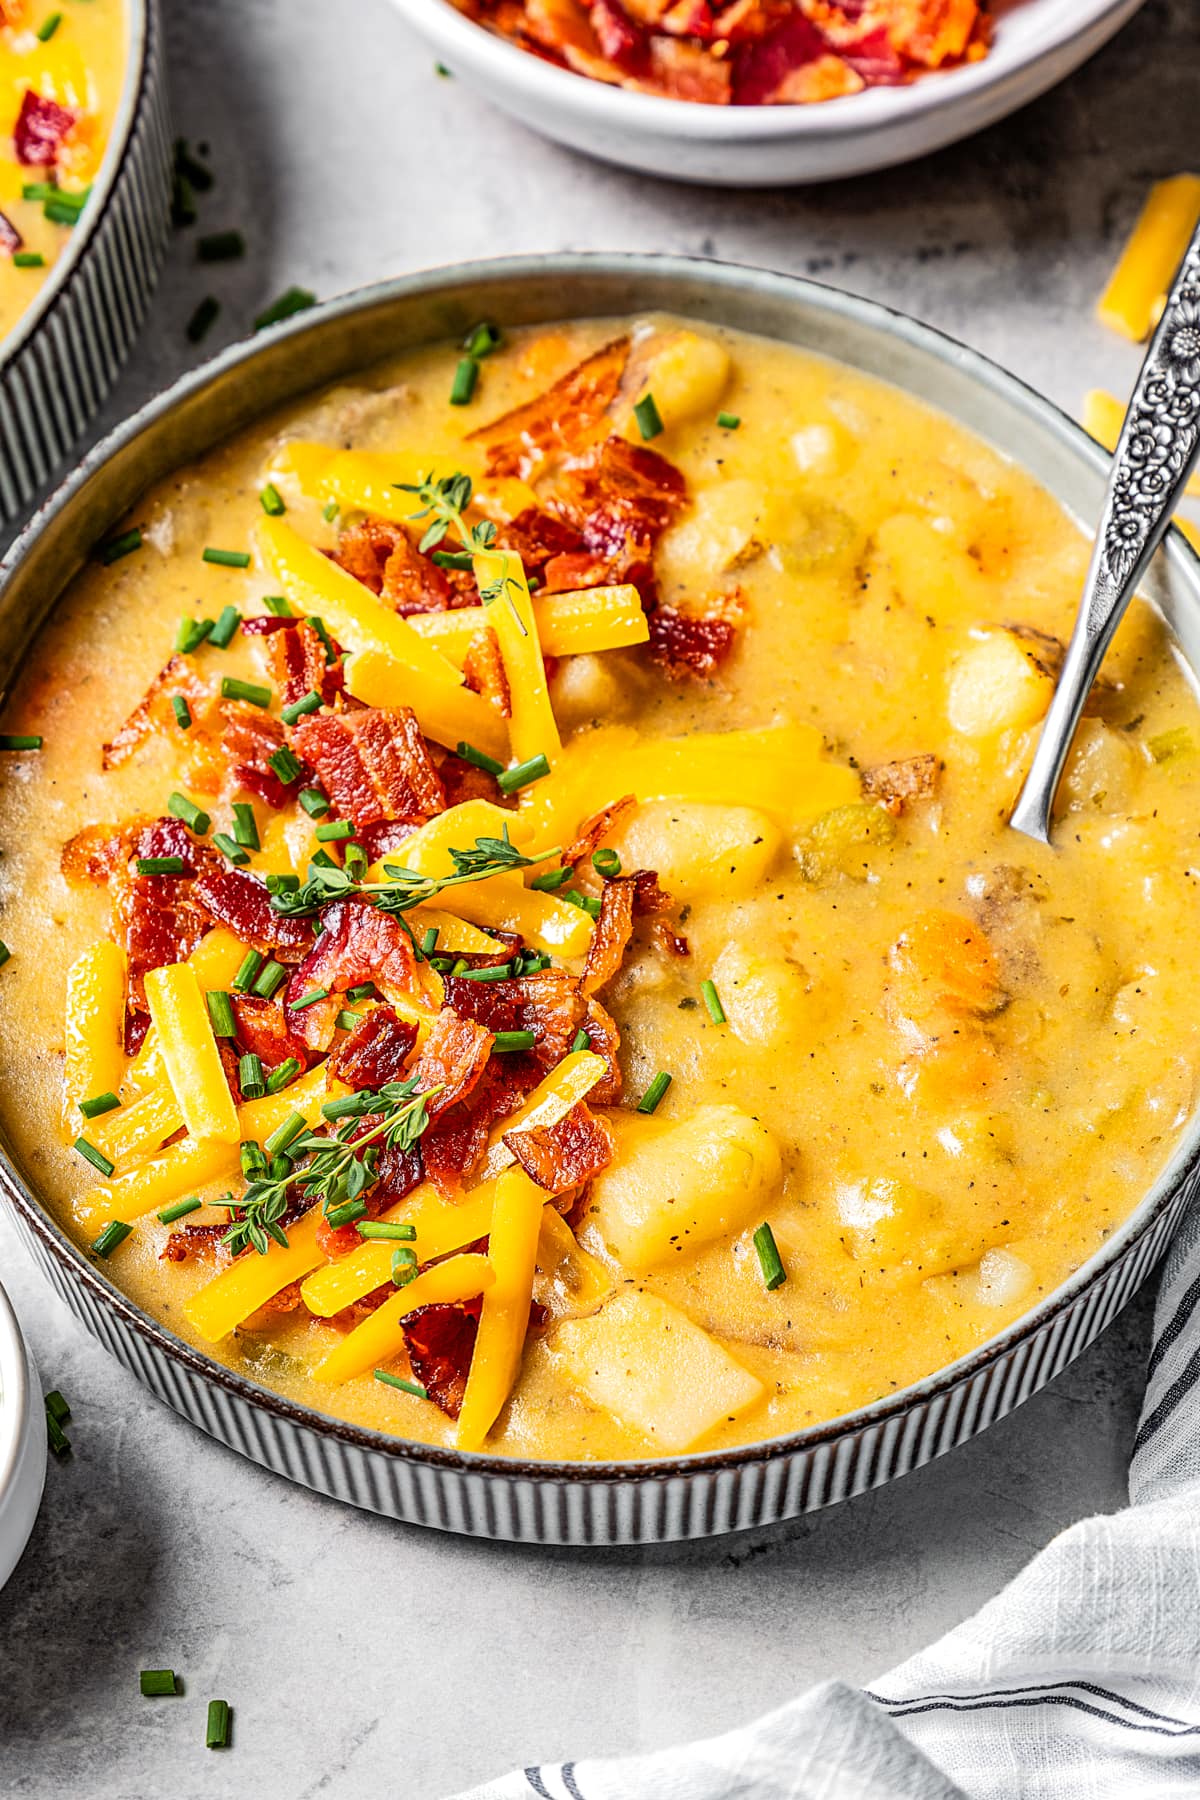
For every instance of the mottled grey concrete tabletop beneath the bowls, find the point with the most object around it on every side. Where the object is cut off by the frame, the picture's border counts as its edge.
(368, 1659)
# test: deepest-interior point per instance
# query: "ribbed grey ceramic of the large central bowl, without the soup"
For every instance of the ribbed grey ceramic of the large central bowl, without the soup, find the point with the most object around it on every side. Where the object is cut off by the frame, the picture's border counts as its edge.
(587, 1504)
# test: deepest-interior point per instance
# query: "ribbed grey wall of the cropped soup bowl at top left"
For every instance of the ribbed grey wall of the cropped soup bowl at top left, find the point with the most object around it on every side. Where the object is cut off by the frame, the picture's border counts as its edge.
(62, 357)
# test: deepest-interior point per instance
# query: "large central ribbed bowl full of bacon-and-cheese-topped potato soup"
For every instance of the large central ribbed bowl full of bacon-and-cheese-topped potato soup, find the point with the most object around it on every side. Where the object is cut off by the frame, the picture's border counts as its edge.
(523, 1007)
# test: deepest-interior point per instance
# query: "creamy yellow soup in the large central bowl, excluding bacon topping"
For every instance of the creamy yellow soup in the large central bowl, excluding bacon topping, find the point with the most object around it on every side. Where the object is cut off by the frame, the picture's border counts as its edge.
(936, 1061)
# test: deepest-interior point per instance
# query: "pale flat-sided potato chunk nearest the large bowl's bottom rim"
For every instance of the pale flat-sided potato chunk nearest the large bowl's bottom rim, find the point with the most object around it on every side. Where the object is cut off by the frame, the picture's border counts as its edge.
(652, 1369)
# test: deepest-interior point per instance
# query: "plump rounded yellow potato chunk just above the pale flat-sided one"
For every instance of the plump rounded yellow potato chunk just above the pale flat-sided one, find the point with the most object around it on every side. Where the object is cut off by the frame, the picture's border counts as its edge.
(674, 1187)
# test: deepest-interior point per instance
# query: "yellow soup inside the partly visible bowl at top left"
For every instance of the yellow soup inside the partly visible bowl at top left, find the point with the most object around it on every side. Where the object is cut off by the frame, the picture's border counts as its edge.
(62, 69)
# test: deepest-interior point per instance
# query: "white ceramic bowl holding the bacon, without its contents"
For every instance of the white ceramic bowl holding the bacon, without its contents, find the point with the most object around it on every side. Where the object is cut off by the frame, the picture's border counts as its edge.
(1037, 44)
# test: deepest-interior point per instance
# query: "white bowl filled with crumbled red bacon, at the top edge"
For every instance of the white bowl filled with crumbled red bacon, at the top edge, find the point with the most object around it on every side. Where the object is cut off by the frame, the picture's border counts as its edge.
(764, 93)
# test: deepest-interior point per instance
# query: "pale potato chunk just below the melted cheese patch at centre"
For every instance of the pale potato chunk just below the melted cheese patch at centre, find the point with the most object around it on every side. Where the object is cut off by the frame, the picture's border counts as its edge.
(701, 849)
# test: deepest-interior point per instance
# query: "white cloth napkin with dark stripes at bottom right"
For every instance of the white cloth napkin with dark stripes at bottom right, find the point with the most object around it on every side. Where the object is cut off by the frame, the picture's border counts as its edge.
(1080, 1682)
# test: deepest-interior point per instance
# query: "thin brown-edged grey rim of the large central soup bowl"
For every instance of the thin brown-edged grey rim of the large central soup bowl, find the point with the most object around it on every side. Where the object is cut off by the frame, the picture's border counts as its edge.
(875, 318)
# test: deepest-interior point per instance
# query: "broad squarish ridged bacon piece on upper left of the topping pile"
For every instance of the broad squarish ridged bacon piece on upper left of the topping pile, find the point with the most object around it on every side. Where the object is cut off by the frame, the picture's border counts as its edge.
(373, 764)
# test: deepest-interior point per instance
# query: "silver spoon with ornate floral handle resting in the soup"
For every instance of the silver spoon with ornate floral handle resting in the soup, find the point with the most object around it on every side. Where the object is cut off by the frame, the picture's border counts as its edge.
(1154, 460)
